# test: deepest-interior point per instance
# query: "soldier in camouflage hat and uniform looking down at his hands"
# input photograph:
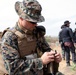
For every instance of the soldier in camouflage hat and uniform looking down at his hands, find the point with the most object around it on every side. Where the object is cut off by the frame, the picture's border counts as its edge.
(24, 48)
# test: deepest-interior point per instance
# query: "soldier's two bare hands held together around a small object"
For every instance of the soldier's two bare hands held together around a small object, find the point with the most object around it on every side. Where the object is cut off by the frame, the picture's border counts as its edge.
(48, 57)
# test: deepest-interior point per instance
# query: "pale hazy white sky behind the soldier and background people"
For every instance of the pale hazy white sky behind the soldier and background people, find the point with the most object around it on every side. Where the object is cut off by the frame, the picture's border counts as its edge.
(54, 11)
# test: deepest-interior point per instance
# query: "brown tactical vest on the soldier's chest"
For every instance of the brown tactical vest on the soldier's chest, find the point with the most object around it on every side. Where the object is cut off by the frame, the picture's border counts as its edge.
(26, 43)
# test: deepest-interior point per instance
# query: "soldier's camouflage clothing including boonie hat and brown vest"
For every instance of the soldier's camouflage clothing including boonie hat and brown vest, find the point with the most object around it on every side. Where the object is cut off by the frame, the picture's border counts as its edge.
(18, 43)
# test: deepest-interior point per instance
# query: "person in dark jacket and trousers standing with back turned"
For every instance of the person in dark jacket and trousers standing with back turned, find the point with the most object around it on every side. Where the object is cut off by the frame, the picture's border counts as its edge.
(68, 41)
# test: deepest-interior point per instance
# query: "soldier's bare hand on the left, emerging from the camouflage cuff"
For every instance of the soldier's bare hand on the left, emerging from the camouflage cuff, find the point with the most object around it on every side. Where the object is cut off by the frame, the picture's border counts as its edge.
(47, 57)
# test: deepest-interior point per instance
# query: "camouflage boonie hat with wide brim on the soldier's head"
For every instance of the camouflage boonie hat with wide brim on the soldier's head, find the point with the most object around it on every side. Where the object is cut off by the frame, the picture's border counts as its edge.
(29, 10)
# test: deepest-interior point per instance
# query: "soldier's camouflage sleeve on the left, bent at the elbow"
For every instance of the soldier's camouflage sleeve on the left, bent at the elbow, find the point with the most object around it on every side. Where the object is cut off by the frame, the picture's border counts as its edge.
(14, 65)
